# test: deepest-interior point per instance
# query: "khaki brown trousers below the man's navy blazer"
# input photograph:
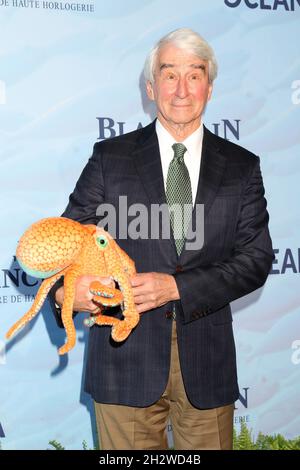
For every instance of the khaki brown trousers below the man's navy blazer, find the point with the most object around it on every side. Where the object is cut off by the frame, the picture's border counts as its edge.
(131, 428)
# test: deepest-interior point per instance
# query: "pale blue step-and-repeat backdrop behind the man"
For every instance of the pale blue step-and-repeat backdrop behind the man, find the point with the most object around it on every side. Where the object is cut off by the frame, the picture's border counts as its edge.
(71, 74)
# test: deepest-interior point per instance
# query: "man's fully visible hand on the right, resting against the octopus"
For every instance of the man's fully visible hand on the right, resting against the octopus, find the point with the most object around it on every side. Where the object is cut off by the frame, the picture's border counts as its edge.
(151, 290)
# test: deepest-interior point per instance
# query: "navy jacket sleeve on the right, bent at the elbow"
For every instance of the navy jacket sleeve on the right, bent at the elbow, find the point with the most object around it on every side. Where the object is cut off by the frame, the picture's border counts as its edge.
(206, 289)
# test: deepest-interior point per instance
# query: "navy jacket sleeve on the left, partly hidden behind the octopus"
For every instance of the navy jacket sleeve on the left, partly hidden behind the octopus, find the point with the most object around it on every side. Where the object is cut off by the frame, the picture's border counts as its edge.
(82, 207)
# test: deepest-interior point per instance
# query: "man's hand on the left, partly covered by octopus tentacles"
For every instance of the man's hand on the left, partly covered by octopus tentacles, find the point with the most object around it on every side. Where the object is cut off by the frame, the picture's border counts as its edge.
(83, 297)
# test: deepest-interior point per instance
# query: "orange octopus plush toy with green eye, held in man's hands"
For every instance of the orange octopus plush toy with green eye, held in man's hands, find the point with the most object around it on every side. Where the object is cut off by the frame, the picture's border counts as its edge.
(56, 247)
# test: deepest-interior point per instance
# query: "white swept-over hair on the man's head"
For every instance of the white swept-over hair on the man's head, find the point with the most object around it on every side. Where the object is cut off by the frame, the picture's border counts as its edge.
(188, 40)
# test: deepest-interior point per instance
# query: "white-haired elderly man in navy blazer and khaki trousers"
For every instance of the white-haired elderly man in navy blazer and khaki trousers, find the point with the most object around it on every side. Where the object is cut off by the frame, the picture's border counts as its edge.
(179, 363)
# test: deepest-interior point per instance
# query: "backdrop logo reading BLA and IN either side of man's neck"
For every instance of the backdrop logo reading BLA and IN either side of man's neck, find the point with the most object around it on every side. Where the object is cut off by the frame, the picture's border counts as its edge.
(108, 128)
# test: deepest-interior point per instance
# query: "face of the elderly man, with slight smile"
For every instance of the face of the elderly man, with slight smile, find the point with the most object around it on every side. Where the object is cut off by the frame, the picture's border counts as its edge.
(181, 88)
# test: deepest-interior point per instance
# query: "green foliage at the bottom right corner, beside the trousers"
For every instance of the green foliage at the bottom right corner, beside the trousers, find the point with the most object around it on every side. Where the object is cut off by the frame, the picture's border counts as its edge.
(245, 441)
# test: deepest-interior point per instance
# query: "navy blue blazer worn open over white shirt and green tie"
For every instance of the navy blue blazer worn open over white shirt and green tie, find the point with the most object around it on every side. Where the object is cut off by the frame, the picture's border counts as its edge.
(235, 260)
